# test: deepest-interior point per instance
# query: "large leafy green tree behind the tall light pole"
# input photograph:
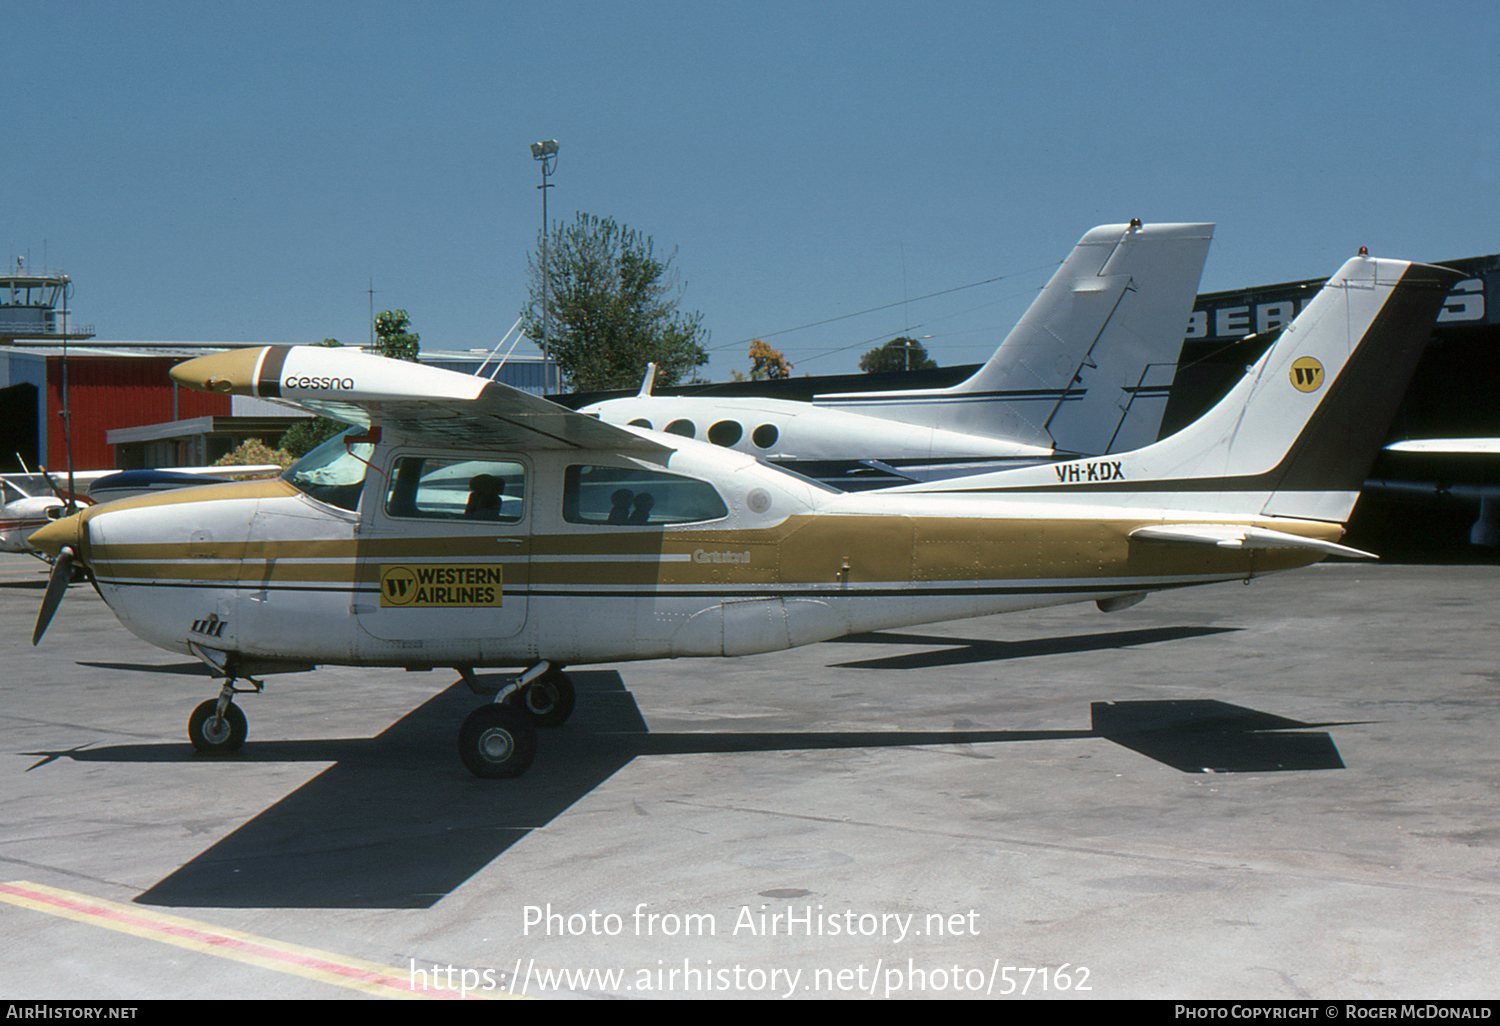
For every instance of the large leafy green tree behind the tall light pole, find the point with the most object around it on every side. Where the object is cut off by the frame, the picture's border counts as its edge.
(614, 308)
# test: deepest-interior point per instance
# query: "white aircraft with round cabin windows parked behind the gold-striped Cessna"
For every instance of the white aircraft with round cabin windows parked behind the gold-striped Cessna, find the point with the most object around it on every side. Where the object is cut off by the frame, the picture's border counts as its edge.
(1087, 370)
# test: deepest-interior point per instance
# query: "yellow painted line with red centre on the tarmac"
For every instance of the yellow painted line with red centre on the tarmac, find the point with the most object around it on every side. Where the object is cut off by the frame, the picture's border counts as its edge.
(355, 974)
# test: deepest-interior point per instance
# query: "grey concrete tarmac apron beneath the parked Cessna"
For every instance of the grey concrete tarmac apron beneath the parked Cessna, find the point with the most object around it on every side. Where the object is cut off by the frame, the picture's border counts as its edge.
(1279, 791)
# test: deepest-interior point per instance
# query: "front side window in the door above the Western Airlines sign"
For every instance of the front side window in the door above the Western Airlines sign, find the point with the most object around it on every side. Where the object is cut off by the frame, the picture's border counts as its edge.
(457, 490)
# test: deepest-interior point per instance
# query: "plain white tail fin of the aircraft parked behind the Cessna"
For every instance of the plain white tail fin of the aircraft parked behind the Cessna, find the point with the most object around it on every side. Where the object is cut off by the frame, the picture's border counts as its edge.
(1078, 361)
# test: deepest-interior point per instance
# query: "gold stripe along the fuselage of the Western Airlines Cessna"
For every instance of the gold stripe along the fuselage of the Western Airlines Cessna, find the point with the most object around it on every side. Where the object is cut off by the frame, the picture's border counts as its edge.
(802, 551)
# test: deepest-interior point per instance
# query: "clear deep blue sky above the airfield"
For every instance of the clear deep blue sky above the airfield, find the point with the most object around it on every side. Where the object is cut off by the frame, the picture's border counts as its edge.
(244, 172)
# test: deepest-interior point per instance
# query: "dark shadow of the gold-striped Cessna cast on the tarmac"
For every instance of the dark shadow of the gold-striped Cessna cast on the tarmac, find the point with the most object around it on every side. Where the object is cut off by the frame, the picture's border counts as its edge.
(397, 823)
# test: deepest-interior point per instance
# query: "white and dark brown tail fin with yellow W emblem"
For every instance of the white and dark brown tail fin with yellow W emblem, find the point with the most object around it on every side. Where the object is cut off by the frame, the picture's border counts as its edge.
(1298, 434)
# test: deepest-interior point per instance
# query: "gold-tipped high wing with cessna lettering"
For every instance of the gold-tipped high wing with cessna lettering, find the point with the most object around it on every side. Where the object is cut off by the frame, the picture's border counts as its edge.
(410, 398)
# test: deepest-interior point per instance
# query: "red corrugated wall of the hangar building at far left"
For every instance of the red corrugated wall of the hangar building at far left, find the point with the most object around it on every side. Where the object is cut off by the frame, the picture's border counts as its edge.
(115, 392)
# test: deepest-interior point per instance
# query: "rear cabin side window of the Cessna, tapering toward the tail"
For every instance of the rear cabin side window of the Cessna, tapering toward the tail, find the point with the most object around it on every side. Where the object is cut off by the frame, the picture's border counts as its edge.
(632, 497)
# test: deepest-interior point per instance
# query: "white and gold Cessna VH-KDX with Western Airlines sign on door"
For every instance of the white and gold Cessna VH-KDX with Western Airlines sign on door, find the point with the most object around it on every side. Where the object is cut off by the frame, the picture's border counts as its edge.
(473, 526)
